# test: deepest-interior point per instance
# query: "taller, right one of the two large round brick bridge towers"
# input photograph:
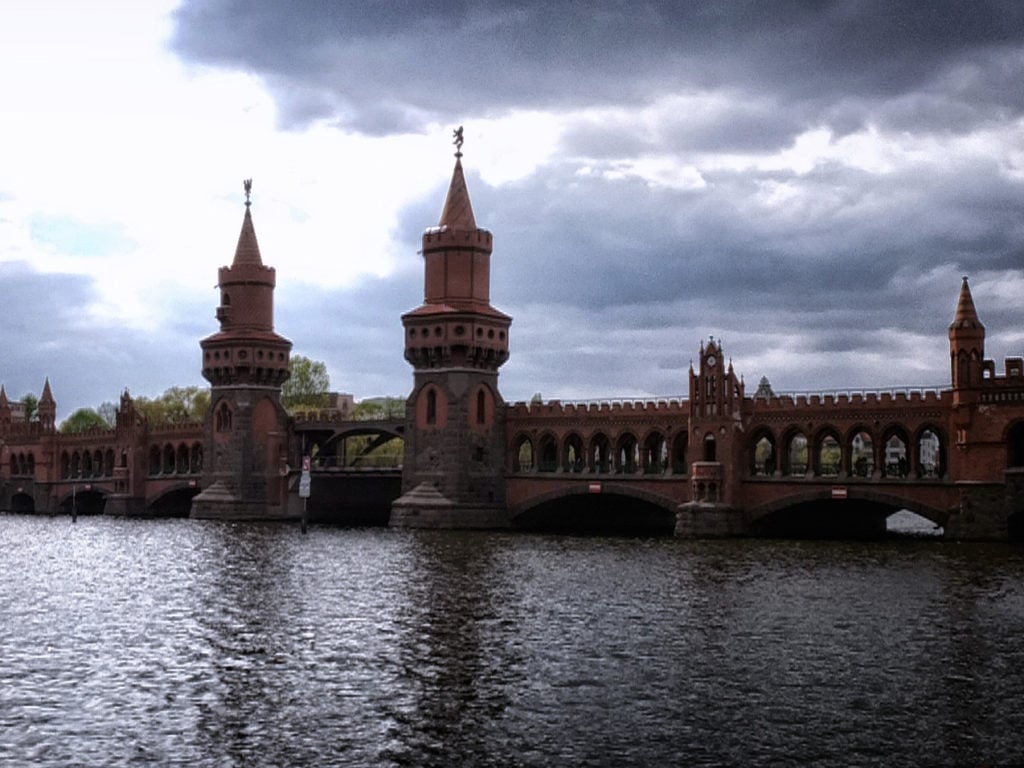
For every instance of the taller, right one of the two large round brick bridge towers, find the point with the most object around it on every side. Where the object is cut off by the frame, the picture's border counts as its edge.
(454, 473)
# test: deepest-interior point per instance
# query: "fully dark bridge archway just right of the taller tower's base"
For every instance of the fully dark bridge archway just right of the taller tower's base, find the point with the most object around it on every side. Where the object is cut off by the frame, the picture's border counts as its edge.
(619, 511)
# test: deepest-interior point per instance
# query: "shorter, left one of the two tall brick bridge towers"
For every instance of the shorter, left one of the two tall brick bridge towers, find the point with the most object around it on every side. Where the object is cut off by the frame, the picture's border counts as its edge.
(246, 363)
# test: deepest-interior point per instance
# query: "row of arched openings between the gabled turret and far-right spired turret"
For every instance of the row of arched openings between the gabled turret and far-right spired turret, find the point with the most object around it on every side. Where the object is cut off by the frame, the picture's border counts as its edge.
(861, 453)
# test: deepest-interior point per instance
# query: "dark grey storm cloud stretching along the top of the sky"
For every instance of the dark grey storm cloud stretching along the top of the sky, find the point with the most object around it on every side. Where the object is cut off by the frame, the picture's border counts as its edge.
(387, 68)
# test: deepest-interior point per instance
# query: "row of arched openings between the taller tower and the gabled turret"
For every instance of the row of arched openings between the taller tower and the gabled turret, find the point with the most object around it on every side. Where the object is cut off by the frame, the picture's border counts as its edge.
(602, 455)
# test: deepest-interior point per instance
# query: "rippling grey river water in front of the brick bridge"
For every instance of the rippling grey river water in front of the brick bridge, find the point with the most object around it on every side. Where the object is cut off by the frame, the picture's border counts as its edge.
(185, 644)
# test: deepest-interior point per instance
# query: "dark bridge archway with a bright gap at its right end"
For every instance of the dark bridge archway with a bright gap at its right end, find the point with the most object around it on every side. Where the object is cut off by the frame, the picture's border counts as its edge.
(816, 515)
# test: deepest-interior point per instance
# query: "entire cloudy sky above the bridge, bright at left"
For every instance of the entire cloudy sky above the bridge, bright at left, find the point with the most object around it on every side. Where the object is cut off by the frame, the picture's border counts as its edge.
(807, 182)
